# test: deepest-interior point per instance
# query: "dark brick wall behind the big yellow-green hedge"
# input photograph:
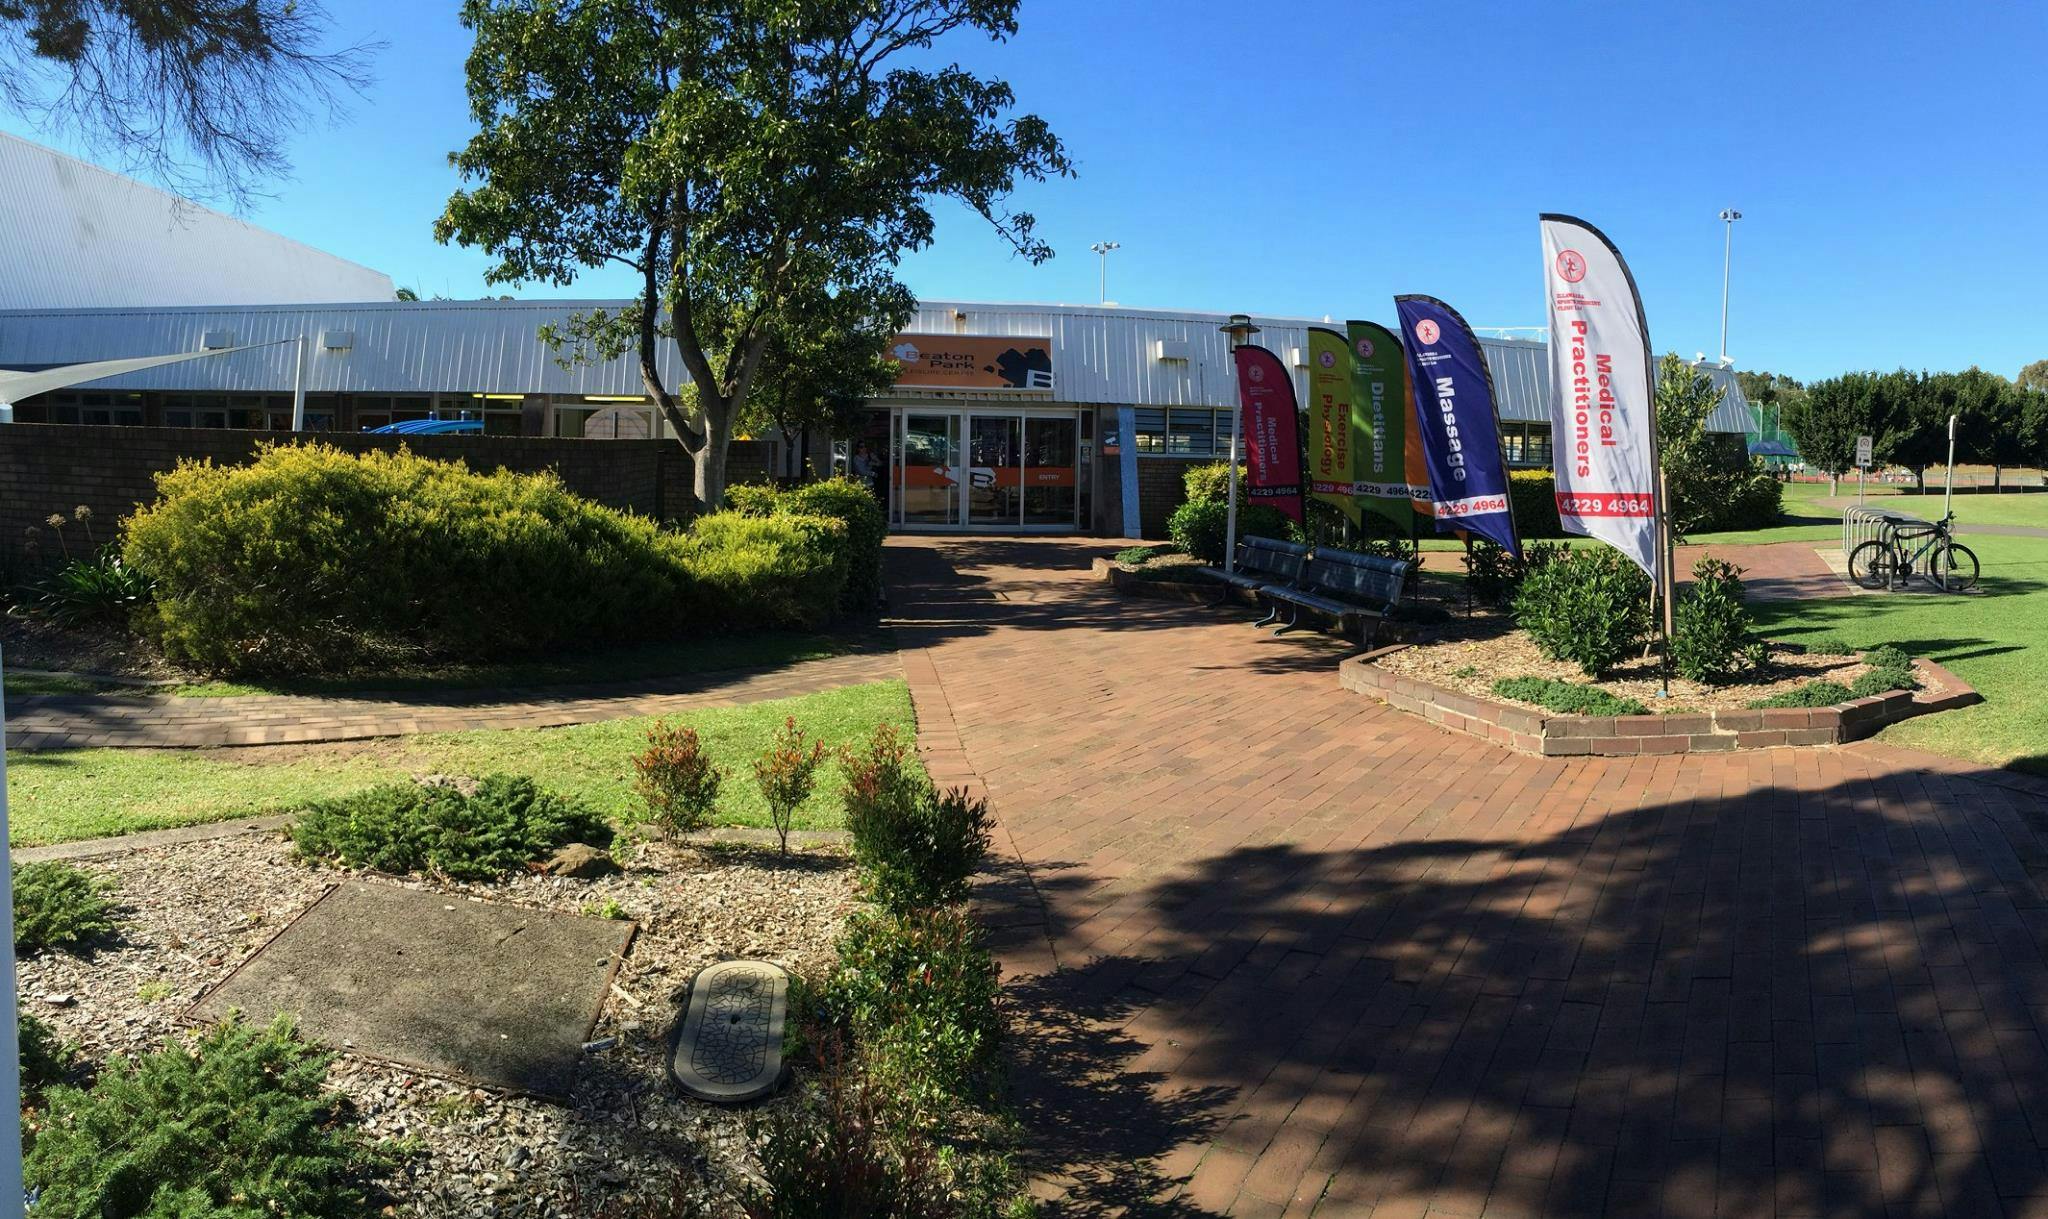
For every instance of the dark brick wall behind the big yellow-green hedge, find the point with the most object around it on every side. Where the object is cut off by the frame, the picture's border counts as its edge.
(54, 468)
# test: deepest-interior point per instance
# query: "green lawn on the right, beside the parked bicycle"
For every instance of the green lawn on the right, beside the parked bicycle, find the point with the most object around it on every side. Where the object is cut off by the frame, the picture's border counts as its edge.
(1996, 642)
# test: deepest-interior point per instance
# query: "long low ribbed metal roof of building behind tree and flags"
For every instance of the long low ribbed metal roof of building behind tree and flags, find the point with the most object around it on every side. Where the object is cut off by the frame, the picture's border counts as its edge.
(1101, 353)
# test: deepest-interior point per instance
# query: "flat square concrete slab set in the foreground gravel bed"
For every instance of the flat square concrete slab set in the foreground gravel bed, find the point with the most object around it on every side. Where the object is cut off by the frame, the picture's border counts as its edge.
(495, 995)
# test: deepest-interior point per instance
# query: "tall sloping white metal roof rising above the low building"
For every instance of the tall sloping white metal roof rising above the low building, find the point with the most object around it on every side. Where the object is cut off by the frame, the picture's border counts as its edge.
(79, 237)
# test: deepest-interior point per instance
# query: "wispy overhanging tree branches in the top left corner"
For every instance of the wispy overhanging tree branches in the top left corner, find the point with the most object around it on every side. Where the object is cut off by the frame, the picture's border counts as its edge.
(202, 95)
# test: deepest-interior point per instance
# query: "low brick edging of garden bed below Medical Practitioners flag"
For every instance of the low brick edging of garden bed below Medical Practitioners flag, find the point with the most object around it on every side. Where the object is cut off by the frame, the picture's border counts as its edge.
(1562, 737)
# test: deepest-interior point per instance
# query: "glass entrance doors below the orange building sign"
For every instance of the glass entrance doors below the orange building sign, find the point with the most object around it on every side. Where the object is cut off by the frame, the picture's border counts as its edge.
(986, 470)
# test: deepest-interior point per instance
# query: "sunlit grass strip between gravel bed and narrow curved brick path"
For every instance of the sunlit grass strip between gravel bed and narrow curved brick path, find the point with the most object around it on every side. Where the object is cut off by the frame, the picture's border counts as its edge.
(89, 794)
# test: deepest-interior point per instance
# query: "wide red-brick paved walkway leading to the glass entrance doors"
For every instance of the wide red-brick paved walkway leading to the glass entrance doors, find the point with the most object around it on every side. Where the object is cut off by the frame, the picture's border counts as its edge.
(1281, 952)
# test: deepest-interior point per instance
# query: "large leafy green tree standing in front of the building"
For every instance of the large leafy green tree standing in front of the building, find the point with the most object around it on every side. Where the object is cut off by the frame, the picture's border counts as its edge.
(757, 163)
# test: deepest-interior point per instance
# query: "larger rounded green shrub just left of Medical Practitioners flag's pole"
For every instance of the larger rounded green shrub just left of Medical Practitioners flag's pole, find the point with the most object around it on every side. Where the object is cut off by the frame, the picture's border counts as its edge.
(1588, 607)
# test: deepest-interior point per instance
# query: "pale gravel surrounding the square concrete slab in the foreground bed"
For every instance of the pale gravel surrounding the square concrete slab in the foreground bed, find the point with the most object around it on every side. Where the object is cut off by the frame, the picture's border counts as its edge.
(194, 913)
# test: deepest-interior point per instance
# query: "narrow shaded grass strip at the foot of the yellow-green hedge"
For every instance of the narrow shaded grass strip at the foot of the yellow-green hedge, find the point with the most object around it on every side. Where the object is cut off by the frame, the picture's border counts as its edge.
(650, 661)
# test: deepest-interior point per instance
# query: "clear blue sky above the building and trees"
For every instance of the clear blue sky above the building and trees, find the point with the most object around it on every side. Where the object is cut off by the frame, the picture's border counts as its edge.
(1320, 159)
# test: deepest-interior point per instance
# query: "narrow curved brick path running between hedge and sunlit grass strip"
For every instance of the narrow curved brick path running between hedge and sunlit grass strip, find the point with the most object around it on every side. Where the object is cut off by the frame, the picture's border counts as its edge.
(67, 722)
